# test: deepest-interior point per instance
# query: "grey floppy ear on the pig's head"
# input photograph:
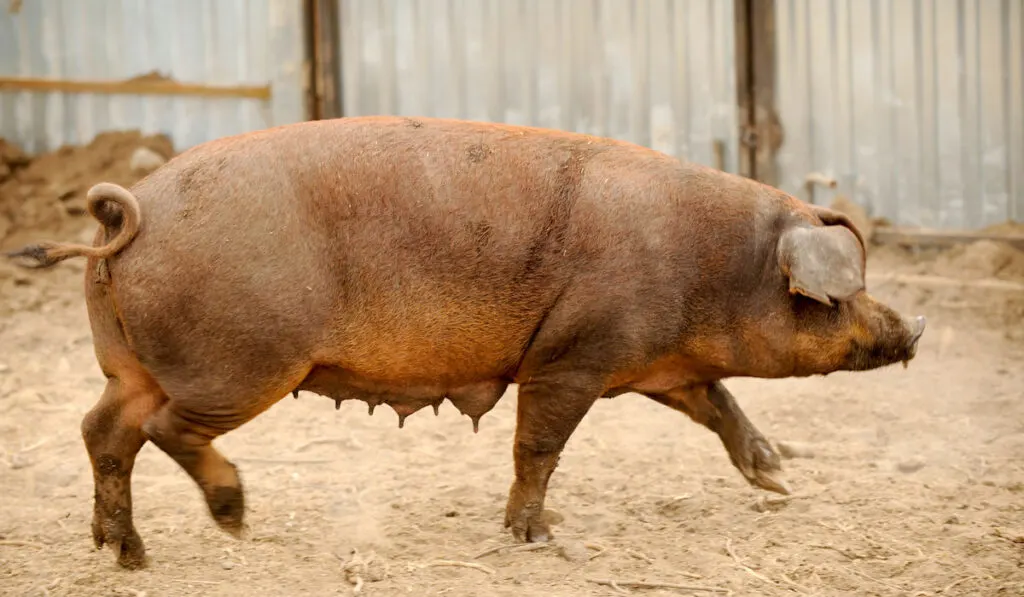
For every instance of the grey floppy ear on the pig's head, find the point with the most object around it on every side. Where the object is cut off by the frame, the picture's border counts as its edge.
(823, 263)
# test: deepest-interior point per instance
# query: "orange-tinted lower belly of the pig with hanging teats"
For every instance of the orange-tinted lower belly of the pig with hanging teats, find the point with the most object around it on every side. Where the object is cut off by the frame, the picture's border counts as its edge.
(418, 357)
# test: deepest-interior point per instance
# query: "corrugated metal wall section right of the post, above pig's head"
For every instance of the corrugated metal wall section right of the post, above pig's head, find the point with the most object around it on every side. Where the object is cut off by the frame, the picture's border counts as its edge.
(916, 107)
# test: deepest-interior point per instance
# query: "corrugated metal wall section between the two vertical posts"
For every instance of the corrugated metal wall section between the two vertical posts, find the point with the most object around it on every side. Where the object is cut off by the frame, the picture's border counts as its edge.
(660, 73)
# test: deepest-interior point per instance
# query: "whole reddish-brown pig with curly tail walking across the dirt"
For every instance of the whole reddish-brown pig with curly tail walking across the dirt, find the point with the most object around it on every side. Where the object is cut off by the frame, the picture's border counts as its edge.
(405, 262)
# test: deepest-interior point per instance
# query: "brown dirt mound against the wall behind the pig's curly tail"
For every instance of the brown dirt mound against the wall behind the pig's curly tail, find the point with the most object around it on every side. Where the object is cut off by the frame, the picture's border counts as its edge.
(47, 193)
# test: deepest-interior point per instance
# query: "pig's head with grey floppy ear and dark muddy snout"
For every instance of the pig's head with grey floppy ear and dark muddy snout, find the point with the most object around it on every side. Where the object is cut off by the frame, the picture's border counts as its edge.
(838, 326)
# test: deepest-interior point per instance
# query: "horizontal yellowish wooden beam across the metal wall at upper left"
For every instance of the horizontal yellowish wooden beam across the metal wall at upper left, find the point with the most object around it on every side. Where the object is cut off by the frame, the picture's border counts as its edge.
(140, 87)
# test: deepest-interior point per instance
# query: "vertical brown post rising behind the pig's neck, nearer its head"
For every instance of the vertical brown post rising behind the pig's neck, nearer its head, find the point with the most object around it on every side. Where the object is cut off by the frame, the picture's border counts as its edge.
(760, 131)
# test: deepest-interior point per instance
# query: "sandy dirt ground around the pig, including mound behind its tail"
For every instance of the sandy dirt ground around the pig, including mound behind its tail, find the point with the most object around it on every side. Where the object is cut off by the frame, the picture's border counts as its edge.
(911, 483)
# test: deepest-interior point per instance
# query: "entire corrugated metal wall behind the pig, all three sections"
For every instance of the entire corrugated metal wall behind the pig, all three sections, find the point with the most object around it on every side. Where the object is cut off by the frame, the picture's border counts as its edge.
(916, 107)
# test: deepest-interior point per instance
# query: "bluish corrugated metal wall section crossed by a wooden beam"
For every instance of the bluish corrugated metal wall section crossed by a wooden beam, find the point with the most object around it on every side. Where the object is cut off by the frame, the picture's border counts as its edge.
(223, 42)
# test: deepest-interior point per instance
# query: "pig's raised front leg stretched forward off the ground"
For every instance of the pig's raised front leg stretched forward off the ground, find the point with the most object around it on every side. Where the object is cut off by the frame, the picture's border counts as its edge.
(716, 409)
